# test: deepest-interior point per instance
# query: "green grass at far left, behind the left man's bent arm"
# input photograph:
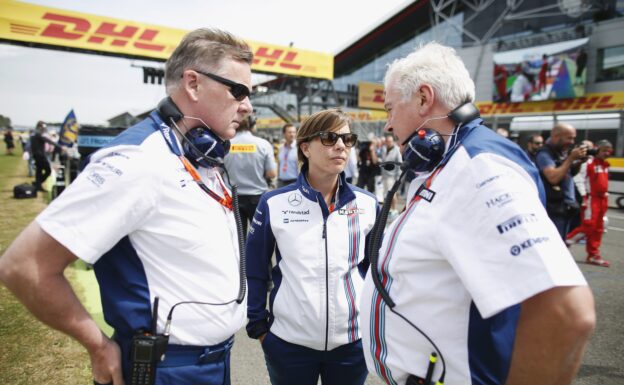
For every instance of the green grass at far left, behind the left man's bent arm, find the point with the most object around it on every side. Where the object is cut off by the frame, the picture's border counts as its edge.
(30, 352)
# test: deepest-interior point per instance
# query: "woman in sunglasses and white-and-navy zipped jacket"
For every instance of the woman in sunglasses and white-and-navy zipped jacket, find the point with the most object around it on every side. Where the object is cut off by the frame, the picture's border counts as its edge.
(318, 228)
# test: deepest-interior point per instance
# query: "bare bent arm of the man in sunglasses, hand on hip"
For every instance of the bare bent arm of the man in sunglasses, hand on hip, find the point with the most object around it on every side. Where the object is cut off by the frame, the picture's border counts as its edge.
(32, 268)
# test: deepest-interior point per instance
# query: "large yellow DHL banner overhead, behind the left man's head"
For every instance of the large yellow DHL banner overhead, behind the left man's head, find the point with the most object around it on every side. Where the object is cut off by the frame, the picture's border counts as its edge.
(44, 26)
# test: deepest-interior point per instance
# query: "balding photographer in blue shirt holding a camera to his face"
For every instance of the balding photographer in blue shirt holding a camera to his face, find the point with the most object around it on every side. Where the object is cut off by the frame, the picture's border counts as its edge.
(557, 162)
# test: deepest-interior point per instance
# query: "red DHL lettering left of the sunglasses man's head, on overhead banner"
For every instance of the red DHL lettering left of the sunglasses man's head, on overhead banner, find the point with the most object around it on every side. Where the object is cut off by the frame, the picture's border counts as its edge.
(73, 28)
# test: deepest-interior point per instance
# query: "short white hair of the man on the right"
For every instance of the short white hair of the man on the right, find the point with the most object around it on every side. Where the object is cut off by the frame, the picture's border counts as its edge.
(436, 65)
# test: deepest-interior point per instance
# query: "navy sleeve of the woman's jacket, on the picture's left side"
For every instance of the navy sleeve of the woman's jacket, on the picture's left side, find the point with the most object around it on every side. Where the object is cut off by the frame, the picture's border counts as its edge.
(259, 249)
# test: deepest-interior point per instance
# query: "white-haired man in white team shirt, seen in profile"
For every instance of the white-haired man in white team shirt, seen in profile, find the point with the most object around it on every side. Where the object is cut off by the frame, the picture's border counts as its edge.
(476, 271)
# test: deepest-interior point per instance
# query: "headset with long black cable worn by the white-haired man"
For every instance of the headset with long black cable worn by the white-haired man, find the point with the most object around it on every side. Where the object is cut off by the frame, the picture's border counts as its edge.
(424, 151)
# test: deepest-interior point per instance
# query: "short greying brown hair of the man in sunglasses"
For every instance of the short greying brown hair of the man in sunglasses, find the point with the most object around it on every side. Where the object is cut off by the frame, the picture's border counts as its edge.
(204, 49)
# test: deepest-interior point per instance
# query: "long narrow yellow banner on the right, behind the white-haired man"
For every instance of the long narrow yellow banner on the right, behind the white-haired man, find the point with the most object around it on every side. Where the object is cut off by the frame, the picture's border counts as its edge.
(608, 101)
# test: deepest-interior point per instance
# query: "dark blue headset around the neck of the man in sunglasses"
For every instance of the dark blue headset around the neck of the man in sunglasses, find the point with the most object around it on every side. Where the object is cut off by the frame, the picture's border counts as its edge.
(200, 145)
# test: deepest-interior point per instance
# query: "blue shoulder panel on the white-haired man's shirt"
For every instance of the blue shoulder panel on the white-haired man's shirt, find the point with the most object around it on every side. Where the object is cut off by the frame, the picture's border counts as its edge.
(480, 139)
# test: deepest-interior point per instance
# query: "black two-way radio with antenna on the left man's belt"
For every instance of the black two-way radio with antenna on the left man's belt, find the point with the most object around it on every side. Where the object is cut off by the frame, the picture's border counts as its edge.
(147, 349)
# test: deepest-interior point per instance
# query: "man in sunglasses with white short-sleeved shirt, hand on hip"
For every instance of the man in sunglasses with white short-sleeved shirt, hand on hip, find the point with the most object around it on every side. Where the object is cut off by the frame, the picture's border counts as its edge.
(142, 215)
